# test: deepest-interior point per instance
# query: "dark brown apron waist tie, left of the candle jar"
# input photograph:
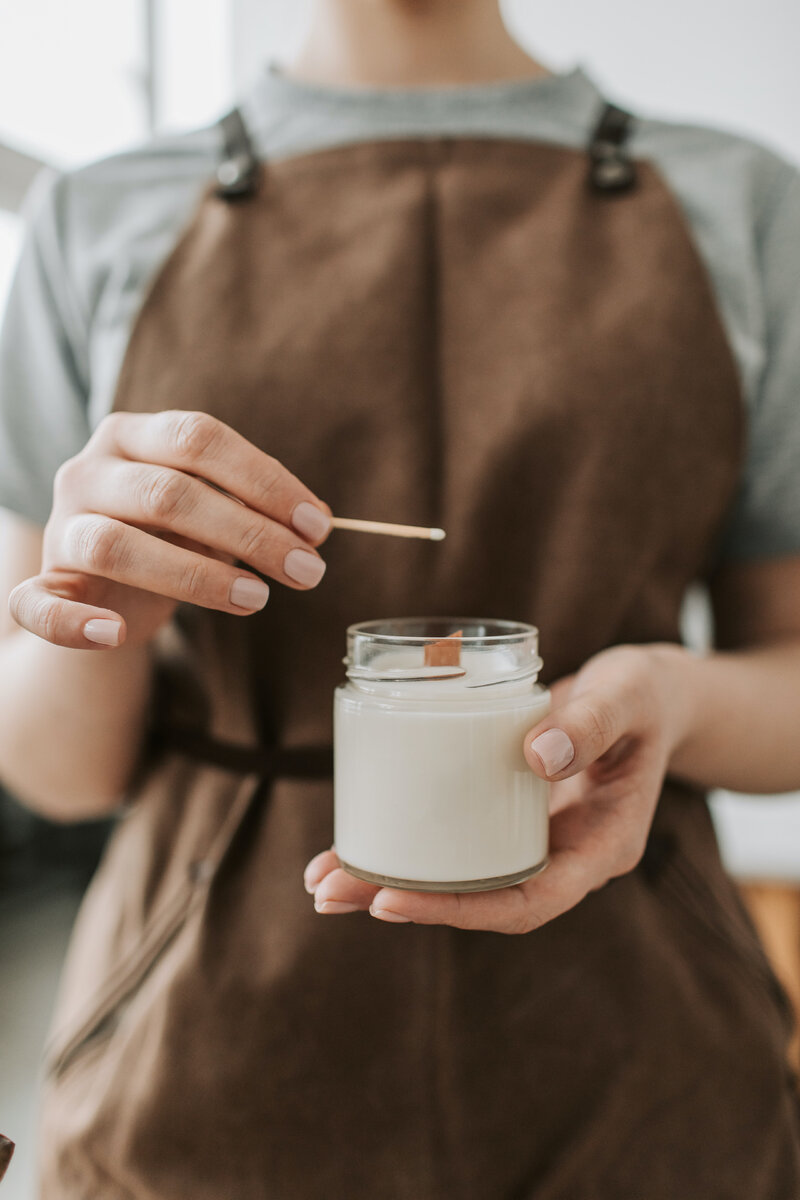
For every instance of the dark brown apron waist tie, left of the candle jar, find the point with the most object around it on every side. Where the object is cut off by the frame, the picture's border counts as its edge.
(270, 763)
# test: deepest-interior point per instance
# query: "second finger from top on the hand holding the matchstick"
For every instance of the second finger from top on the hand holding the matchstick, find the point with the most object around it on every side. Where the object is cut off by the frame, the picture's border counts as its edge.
(163, 499)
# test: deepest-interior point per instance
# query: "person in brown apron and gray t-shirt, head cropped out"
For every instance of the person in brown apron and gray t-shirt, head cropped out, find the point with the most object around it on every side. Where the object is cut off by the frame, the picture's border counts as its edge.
(430, 283)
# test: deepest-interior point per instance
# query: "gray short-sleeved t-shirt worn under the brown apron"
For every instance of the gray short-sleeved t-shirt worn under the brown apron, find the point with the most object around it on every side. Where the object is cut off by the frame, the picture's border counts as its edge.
(98, 237)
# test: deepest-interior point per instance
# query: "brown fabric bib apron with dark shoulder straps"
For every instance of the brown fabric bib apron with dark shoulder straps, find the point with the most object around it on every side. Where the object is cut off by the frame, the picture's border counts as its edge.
(456, 333)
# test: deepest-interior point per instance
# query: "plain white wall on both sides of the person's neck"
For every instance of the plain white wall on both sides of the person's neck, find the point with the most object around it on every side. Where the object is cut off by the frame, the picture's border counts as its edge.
(733, 63)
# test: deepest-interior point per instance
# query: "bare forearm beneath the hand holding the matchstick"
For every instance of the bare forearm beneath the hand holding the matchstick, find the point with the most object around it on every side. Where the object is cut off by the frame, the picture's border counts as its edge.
(71, 724)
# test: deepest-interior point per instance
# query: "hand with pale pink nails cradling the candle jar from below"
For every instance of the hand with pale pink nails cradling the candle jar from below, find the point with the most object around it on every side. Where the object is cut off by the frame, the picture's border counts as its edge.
(606, 745)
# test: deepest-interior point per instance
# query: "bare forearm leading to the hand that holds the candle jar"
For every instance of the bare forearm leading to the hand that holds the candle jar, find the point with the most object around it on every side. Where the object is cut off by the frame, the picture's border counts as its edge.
(737, 715)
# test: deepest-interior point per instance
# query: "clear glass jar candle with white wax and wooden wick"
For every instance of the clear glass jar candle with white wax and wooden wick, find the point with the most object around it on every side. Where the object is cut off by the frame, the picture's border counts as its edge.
(432, 790)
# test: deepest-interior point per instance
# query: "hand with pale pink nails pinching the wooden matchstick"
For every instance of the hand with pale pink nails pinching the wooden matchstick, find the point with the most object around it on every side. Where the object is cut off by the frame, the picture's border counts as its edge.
(136, 529)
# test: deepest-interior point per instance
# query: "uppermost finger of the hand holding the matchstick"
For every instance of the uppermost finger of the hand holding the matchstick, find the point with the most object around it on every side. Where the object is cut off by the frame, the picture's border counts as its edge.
(202, 446)
